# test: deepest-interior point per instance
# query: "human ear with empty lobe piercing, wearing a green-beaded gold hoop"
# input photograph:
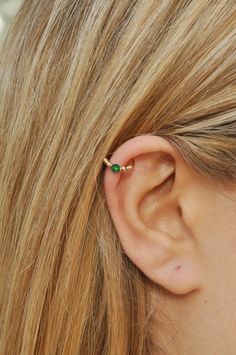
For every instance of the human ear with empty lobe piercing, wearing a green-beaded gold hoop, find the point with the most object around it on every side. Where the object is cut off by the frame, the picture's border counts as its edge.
(145, 204)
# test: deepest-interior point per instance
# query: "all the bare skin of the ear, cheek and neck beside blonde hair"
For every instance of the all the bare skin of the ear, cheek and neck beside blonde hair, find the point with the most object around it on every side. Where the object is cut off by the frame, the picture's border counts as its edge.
(179, 228)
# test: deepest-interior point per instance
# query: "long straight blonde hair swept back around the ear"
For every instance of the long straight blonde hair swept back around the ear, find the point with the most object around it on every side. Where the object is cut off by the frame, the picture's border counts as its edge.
(78, 79)
